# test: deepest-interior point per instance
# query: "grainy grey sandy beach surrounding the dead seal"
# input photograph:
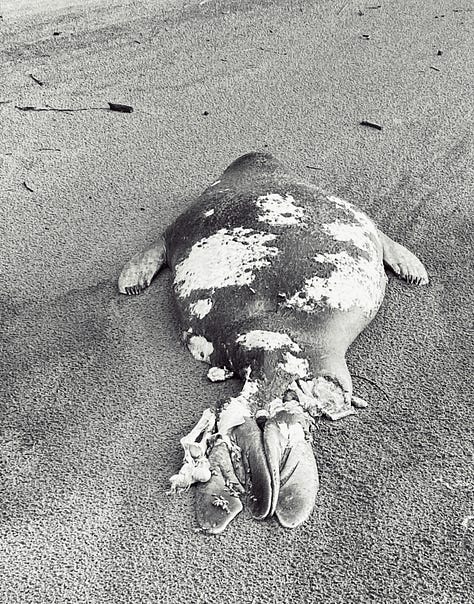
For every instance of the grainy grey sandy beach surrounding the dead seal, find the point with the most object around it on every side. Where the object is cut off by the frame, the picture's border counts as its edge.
(96, 389)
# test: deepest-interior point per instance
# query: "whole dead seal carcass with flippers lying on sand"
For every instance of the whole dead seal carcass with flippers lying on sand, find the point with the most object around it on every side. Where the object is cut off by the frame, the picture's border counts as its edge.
(273, 281)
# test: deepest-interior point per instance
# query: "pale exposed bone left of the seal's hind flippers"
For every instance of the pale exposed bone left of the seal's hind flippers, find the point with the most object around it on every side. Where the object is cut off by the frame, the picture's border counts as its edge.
(196, 467)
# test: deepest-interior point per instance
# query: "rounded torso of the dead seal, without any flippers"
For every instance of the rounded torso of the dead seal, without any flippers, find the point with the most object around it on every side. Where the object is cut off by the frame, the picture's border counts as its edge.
(271, 272)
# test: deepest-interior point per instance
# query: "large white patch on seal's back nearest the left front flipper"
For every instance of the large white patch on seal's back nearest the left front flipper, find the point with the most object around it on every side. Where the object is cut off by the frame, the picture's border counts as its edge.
(228, 257)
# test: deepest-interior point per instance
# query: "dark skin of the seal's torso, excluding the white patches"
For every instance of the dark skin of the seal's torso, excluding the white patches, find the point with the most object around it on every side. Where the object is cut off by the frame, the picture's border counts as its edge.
(262, 304)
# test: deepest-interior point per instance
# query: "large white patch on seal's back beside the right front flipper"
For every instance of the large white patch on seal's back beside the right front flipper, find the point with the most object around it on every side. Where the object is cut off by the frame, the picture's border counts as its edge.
(353, 282)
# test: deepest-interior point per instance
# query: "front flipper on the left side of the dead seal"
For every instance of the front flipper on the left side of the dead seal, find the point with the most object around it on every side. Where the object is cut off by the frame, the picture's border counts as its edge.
(138, 273)
